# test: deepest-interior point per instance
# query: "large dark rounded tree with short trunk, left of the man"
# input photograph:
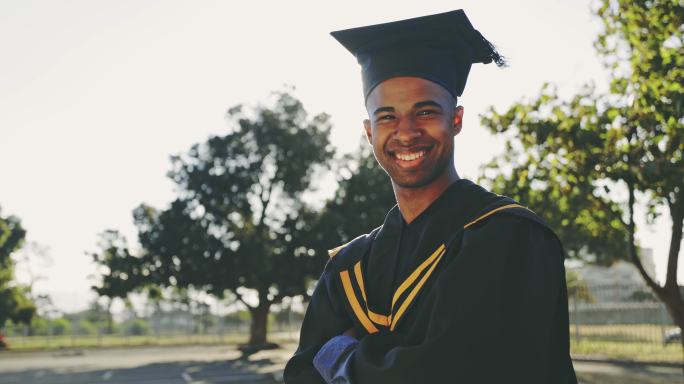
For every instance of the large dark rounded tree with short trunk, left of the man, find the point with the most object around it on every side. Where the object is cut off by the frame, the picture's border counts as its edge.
(238, 220)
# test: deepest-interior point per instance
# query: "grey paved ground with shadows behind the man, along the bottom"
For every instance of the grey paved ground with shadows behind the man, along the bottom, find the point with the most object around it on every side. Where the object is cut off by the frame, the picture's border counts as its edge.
(222, 364)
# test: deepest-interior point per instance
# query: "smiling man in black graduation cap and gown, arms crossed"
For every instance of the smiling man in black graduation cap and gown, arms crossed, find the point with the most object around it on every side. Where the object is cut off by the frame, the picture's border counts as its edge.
(458, 285)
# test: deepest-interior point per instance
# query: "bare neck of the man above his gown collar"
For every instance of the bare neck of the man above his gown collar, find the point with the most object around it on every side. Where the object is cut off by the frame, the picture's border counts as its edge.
(412, 201)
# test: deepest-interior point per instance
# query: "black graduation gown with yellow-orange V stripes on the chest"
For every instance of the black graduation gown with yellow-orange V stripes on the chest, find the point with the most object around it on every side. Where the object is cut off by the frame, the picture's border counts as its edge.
(481, 298)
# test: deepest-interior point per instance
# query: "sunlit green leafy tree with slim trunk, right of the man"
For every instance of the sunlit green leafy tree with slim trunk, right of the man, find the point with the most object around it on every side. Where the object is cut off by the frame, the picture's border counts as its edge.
(585, 163)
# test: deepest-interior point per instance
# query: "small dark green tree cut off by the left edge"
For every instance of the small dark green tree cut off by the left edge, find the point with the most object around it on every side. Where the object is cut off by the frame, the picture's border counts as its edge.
(15, 304)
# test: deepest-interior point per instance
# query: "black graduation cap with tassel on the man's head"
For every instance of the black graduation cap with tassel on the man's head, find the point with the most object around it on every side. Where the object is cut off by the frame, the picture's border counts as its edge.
(440, 48)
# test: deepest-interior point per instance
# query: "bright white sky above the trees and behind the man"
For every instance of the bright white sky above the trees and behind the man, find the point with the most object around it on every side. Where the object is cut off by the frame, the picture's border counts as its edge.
(96, 95)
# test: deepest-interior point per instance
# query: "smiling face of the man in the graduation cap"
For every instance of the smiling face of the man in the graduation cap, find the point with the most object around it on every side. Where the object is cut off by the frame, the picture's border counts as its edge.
(411, 126)
